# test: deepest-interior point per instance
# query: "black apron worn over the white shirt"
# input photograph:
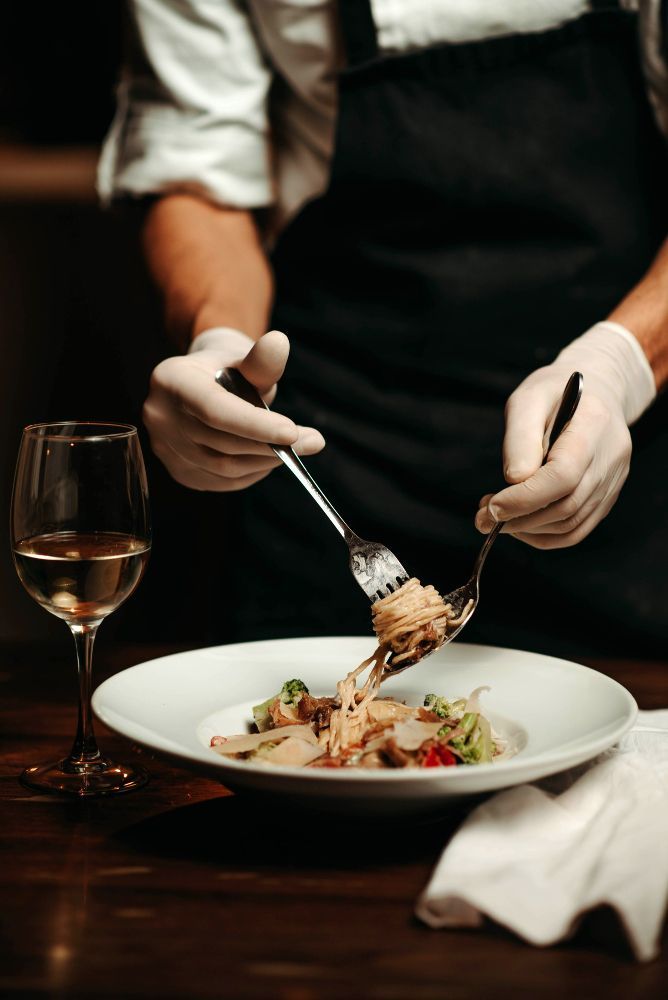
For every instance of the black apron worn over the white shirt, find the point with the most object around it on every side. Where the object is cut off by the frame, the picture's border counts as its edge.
(488, 202)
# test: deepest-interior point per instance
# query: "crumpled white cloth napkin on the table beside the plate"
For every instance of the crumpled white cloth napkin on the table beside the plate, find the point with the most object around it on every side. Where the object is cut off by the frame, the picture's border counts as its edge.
(537, 857)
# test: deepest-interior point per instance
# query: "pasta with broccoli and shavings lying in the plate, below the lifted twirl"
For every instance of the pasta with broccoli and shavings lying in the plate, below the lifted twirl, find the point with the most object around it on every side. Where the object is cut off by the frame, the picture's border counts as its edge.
(358, 729)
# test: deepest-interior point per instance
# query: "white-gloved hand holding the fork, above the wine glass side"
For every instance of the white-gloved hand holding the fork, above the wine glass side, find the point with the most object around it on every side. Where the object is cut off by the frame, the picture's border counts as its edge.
(208, 438)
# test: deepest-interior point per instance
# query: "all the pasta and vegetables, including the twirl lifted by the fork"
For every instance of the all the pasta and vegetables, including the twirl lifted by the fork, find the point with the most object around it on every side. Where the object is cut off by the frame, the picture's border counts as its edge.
(356, 728)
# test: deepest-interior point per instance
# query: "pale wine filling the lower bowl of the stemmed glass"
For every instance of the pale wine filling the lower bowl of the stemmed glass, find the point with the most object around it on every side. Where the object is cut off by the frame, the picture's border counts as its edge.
(81, 576)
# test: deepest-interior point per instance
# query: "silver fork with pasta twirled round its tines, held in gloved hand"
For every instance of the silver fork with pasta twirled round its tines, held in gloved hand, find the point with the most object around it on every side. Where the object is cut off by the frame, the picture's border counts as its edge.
(376, 569)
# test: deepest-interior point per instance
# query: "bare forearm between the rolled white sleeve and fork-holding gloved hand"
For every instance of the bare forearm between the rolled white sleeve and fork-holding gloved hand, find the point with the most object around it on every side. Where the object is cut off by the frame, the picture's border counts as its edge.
(210, 266)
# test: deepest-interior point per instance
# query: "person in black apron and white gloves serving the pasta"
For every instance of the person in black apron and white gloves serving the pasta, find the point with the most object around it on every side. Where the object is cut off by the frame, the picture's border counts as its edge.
(447, 206)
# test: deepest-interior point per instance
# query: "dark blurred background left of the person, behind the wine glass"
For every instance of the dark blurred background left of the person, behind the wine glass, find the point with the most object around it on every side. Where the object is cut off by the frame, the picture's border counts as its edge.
(80, 324)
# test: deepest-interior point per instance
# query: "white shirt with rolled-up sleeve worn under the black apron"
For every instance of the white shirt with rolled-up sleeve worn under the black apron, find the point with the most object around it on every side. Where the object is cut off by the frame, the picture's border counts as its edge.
(236, 99)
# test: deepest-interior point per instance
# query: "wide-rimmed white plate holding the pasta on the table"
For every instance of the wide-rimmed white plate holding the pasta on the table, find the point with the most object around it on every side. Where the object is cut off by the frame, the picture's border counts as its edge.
(554, 714)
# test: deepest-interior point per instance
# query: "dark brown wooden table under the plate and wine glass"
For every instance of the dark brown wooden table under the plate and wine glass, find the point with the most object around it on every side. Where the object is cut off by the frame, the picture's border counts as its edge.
(183, 890)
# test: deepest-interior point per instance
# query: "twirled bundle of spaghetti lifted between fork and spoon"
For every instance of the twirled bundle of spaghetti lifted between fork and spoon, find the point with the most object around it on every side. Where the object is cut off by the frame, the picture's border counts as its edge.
(414, 621)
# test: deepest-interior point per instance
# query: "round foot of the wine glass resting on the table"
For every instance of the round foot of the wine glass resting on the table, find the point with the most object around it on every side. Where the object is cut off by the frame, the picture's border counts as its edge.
(86, 779)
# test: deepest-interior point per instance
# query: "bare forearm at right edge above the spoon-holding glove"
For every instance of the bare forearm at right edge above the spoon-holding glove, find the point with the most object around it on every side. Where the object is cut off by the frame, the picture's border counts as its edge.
(644, 312)
